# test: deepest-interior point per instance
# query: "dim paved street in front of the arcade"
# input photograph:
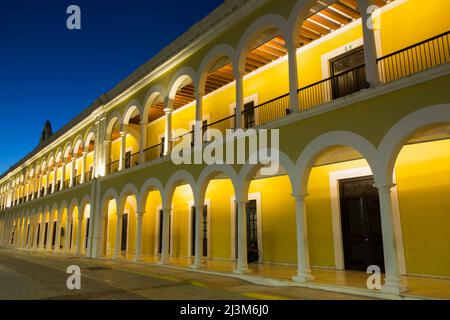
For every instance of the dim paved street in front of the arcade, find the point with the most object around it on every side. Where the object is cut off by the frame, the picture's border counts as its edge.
(31, 277)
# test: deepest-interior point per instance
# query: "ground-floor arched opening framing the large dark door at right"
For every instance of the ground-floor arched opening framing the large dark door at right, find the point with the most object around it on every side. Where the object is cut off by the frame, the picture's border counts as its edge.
(343, 217)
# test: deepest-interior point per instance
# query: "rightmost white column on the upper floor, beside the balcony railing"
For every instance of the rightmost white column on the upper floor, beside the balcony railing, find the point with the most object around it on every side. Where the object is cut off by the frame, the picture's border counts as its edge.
(370, 49)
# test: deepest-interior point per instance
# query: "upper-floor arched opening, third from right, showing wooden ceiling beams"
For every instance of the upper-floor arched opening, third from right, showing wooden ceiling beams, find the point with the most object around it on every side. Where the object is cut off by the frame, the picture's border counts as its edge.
(264, 44)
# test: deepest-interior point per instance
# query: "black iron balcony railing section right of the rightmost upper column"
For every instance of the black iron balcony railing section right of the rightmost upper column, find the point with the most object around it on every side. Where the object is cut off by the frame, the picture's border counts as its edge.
(416, 58)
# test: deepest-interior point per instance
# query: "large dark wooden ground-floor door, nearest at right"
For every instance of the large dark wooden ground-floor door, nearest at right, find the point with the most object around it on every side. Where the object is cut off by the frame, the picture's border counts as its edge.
(361, 224)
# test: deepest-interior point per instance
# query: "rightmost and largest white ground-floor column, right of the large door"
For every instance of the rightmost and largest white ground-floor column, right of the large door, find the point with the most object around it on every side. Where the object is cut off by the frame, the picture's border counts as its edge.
(393, 283)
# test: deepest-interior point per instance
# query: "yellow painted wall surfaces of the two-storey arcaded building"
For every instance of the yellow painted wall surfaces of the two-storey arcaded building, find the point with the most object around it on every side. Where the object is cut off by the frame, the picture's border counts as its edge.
(365, 123)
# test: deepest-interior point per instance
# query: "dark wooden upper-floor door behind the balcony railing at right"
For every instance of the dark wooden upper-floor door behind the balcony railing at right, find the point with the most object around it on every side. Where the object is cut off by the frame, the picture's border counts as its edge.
(348, 72)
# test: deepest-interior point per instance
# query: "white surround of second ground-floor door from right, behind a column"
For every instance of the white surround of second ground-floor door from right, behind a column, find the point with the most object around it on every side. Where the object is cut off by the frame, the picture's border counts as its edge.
(252, 196)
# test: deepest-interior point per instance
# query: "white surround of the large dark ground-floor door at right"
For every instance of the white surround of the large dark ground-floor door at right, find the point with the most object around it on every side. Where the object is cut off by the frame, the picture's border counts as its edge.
(334, 178)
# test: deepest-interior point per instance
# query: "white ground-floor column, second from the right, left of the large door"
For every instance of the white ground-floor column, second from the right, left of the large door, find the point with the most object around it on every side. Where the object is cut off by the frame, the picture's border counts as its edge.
(304, 270)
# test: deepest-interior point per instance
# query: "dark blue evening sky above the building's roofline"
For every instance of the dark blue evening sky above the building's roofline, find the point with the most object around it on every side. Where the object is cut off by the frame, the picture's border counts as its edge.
(49, 72)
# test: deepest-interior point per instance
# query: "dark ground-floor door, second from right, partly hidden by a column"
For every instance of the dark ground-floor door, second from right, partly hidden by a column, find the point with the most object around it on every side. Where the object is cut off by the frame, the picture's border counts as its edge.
(252, 231)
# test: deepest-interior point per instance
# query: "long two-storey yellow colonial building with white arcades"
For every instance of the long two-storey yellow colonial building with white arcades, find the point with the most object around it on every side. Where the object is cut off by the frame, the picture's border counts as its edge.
(359, 91)
